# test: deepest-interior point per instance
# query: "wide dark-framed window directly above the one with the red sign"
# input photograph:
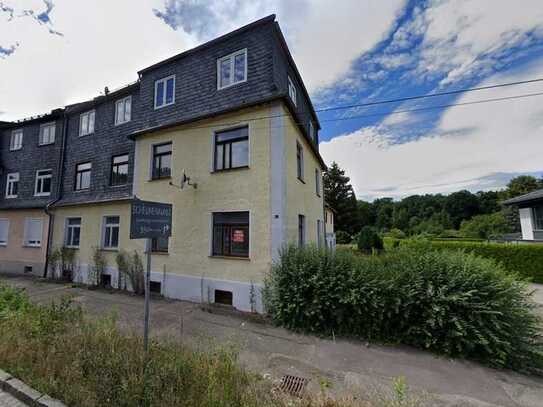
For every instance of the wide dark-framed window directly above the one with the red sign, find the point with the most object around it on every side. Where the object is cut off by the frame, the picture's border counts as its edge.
(231, 149)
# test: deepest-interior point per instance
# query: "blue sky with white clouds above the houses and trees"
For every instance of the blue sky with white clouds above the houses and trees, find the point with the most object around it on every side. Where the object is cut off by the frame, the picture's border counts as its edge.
(57, 52)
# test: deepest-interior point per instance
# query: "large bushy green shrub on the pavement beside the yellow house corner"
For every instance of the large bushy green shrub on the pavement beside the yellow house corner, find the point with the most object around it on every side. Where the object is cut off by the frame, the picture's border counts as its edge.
(452, 303)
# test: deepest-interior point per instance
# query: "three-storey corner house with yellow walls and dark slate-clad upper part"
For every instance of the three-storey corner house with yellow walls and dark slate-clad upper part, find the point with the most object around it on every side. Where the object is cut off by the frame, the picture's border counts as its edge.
(232, 114)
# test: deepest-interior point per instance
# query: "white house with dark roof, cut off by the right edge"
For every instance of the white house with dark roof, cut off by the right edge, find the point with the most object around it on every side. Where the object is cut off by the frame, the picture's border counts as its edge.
(531, 214)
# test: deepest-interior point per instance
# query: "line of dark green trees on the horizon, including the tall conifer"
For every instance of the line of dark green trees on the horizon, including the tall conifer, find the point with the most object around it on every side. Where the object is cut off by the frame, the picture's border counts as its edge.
(459, 214)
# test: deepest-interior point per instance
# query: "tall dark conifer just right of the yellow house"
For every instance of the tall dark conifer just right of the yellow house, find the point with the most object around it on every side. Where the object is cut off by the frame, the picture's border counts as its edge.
(339, 195)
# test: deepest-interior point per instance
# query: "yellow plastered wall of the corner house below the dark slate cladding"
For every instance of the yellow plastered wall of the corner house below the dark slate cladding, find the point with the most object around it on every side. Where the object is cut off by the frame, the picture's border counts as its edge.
(189, 263)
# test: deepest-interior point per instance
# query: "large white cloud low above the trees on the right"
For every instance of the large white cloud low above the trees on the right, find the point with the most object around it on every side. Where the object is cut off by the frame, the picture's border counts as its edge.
(469, 146)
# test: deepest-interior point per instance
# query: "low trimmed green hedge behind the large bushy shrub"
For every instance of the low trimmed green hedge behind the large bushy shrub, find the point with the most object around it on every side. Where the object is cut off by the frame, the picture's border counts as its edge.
(525, 259)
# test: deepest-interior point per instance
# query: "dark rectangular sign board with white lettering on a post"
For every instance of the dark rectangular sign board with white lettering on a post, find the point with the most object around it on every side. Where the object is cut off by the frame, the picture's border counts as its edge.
(150, 220)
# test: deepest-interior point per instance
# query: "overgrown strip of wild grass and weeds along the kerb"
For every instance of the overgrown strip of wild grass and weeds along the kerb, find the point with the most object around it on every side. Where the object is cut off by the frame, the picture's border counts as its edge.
(87, 363)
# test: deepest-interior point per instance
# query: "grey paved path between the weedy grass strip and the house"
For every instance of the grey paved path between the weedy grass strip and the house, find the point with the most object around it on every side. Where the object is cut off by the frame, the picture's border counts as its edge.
(347, 366)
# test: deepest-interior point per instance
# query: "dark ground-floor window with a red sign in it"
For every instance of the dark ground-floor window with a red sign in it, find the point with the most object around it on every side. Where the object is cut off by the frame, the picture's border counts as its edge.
(231, 234)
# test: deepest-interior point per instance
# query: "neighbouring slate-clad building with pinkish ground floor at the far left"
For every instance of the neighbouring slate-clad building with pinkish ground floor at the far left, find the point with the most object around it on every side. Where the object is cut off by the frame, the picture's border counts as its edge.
(30, 152)
